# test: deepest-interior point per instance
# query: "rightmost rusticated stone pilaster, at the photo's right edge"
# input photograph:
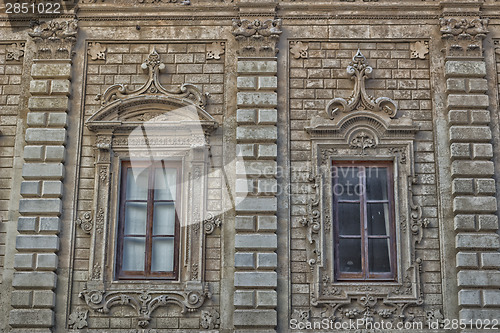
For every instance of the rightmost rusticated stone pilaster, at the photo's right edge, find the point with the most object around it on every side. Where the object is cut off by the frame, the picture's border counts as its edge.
(473, 184)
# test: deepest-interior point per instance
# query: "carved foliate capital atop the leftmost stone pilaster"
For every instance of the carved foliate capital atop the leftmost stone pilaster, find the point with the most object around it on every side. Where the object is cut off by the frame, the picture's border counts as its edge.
(54, 39)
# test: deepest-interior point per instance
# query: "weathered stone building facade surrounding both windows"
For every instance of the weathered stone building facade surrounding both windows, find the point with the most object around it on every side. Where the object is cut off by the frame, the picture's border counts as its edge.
(256, 99)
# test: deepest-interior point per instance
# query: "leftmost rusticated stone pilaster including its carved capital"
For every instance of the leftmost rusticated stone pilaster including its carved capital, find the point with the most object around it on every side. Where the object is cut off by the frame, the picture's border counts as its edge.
(36, 261)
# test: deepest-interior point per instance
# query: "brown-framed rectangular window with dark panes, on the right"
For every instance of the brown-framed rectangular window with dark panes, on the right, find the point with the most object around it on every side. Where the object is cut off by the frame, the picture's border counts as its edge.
(364, 232)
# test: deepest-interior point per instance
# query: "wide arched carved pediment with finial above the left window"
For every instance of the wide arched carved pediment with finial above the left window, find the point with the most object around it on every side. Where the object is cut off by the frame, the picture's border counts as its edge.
(125, 108)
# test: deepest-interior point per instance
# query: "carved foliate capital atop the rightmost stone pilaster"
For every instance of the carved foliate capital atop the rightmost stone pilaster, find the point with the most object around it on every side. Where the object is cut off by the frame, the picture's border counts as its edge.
(464, 35)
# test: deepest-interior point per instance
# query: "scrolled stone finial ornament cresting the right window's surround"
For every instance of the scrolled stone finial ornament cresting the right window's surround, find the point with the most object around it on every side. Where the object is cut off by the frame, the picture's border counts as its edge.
(359, 99)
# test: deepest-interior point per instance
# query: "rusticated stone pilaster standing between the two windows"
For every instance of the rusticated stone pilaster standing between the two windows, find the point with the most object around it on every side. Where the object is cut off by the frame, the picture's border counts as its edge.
(255, 277)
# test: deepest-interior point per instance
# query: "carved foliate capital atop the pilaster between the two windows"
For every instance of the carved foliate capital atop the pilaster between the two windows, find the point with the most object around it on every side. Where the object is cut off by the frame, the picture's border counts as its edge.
(257, 38)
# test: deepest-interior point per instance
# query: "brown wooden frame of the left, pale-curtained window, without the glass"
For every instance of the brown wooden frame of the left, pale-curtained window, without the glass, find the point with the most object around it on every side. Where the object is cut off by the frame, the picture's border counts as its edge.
(147, 274)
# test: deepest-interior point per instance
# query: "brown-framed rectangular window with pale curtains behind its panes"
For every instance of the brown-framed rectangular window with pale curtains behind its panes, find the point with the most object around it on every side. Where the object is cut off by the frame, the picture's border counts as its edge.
(148, 244)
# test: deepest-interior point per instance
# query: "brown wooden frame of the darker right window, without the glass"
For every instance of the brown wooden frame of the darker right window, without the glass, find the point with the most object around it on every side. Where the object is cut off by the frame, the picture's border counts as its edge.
(366, 275)
